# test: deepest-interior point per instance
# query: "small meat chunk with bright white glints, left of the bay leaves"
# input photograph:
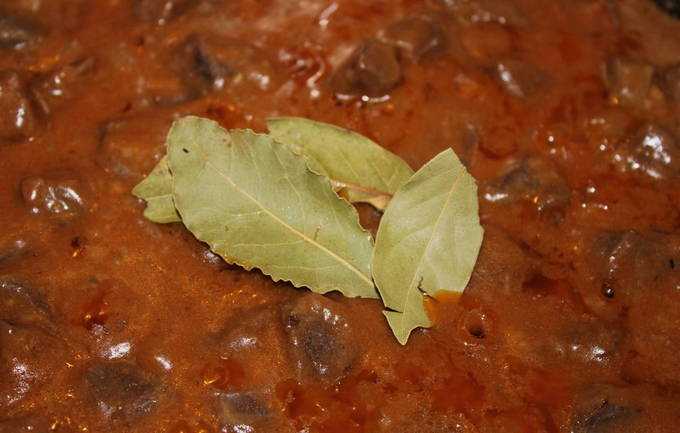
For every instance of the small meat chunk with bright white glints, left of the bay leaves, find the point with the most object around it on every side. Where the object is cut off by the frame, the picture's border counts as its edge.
(54, 197)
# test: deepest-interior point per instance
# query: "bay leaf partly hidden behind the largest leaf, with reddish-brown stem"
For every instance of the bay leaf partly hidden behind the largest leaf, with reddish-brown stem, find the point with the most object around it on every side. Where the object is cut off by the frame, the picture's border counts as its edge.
(363, 170)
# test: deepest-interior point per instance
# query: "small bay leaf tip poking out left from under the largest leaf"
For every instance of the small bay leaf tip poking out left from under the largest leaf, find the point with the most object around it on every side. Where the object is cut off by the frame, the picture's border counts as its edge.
(156, 190)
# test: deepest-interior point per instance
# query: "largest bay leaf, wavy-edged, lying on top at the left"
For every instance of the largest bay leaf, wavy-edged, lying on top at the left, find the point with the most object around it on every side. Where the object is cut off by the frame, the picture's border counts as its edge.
(256, 204)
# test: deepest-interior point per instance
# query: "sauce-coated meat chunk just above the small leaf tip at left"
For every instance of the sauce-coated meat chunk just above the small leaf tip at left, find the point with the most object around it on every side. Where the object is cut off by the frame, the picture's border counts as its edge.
(132, 145)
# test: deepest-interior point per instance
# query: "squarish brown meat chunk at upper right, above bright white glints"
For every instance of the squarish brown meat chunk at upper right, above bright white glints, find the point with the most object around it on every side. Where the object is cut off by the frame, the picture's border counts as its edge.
(629, 81)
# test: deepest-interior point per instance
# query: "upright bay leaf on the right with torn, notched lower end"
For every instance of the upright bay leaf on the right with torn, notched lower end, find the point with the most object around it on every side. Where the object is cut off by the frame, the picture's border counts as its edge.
(428, 240)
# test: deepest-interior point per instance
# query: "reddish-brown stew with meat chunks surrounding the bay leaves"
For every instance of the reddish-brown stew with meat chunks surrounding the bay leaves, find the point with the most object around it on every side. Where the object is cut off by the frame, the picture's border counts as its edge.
(566, 112)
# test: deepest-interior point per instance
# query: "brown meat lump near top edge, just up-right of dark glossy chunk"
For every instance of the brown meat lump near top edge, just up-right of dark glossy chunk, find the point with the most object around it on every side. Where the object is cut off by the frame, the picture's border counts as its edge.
(418, 36)
